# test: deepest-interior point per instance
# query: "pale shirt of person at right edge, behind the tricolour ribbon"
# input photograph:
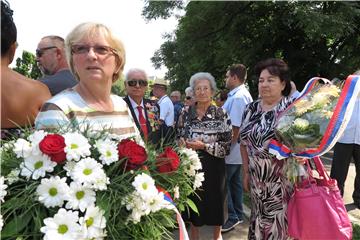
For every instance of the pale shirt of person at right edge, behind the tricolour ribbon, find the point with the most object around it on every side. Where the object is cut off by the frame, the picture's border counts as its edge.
(351, 133)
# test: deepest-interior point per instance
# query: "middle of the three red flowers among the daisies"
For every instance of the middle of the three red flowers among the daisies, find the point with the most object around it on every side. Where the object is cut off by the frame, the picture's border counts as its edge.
(135, 153)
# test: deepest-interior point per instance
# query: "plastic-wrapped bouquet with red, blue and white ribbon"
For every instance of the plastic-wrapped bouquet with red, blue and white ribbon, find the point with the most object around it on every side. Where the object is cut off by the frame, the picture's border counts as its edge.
(314, 122)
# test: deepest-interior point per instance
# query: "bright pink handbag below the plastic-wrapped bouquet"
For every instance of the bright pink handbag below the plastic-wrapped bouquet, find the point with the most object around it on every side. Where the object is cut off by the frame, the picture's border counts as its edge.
(316, 209)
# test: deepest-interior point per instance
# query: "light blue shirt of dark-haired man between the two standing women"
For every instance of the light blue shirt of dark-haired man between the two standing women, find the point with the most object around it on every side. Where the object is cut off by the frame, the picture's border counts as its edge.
(235, 105)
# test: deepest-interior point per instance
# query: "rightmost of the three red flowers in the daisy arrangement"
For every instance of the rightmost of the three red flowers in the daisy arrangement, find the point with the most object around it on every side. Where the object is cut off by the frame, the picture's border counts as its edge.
(168, 161)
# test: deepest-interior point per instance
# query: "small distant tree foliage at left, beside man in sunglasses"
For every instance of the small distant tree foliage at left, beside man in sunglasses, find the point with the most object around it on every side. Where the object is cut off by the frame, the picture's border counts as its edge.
(27, 66)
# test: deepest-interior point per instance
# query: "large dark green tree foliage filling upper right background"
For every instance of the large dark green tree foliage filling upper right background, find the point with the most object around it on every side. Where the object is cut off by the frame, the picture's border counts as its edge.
(314, 38)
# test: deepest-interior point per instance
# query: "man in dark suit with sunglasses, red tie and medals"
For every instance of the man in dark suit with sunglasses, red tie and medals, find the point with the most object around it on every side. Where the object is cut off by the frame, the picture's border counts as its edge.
(146, 113)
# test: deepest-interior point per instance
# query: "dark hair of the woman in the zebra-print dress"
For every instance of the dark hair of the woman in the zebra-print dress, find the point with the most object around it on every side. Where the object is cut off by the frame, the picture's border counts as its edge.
(276, 67)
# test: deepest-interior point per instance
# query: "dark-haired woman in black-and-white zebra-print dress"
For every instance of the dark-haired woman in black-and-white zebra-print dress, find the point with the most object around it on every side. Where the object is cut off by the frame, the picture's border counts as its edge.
(270, 189)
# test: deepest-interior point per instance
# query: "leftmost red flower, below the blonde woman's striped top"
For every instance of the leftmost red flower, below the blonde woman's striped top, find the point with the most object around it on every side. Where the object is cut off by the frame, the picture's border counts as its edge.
(53, 145)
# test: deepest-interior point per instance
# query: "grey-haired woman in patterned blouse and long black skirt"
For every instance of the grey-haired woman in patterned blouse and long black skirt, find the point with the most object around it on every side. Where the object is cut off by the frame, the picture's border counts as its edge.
(207, 129)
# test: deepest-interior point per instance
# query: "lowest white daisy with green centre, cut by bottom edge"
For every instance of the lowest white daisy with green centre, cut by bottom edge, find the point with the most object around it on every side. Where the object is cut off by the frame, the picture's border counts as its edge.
(64, 225)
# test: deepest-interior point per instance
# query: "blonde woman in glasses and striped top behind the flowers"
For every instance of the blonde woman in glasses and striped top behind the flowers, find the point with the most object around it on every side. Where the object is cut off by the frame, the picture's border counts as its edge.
(97, 59)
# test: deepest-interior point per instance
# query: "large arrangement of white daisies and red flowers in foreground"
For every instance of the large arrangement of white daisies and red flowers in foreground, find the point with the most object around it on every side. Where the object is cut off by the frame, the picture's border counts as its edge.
(81, 185)
